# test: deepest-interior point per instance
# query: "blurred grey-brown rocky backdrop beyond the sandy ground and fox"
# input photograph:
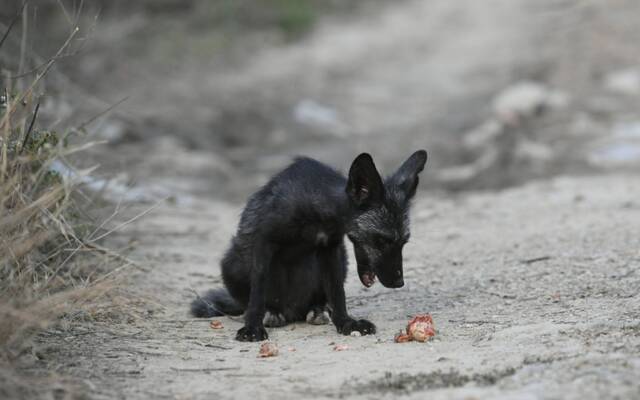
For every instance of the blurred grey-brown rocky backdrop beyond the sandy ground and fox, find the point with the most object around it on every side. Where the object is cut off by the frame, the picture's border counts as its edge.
(212, 97)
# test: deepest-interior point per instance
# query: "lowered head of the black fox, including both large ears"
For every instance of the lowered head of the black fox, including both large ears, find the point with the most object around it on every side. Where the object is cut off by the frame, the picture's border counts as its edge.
(379, 227)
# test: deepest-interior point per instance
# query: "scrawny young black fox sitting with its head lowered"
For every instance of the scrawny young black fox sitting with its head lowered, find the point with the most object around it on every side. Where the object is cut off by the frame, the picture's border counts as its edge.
(288, 260)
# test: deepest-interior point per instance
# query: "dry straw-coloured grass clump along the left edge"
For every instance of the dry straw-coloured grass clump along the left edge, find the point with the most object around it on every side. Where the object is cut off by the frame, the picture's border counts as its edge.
(51, 263)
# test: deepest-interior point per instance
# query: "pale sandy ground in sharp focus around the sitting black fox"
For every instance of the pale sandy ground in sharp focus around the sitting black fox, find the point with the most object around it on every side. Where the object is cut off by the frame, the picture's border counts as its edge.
(534, 292)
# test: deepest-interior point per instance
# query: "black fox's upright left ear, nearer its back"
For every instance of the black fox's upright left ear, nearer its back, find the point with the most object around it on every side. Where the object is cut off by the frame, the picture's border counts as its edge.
(365, 185)
